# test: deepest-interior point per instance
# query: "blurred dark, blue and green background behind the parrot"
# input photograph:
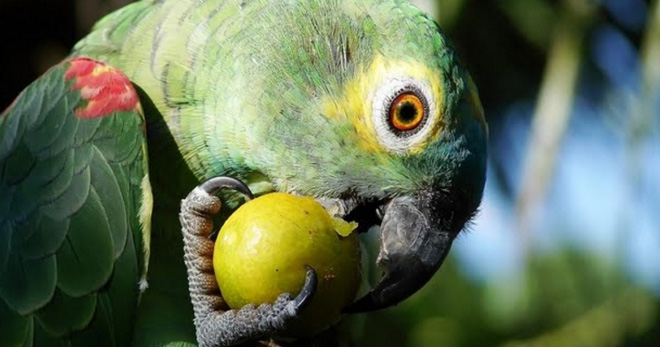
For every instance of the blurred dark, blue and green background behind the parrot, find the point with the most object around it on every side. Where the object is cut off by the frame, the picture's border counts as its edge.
(566, 248)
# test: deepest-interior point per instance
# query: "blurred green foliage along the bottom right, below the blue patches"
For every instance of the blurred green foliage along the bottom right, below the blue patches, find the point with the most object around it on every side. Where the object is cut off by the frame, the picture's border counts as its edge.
(567, 299)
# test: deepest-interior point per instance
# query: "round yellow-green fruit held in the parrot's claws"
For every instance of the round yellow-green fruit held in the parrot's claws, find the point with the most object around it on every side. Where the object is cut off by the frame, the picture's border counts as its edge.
(262, 250)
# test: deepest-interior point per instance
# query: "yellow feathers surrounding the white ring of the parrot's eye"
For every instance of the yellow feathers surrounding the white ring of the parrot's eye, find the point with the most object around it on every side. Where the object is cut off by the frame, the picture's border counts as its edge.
(354, 103)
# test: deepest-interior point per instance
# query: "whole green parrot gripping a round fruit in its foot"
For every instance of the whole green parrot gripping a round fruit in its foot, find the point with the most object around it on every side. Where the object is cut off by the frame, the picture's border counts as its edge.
(361, 104)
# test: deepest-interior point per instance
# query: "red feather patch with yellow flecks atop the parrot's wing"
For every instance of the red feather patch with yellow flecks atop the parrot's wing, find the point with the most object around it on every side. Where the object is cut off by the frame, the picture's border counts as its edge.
(105, 89)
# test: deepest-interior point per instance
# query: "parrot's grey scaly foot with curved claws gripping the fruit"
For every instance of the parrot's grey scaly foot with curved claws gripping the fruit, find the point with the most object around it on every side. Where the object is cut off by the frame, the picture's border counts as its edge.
(215, 324)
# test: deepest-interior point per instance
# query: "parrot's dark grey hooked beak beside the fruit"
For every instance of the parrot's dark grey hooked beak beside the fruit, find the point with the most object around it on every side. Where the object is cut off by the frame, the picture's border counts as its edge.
(415, 239)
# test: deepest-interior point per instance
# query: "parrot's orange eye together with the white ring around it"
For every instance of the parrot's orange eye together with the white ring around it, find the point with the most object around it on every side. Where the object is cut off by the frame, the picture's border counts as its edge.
(402, 113)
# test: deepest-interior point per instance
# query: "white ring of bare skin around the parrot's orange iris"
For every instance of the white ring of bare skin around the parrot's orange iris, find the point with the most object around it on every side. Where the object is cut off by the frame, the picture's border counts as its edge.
(396, 140)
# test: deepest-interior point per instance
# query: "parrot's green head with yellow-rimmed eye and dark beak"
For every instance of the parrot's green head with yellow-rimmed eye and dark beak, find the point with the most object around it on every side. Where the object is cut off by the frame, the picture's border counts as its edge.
(367, 107)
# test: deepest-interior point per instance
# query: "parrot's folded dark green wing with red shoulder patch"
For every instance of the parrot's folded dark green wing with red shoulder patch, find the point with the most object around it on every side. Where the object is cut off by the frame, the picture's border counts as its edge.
(73, 181)
